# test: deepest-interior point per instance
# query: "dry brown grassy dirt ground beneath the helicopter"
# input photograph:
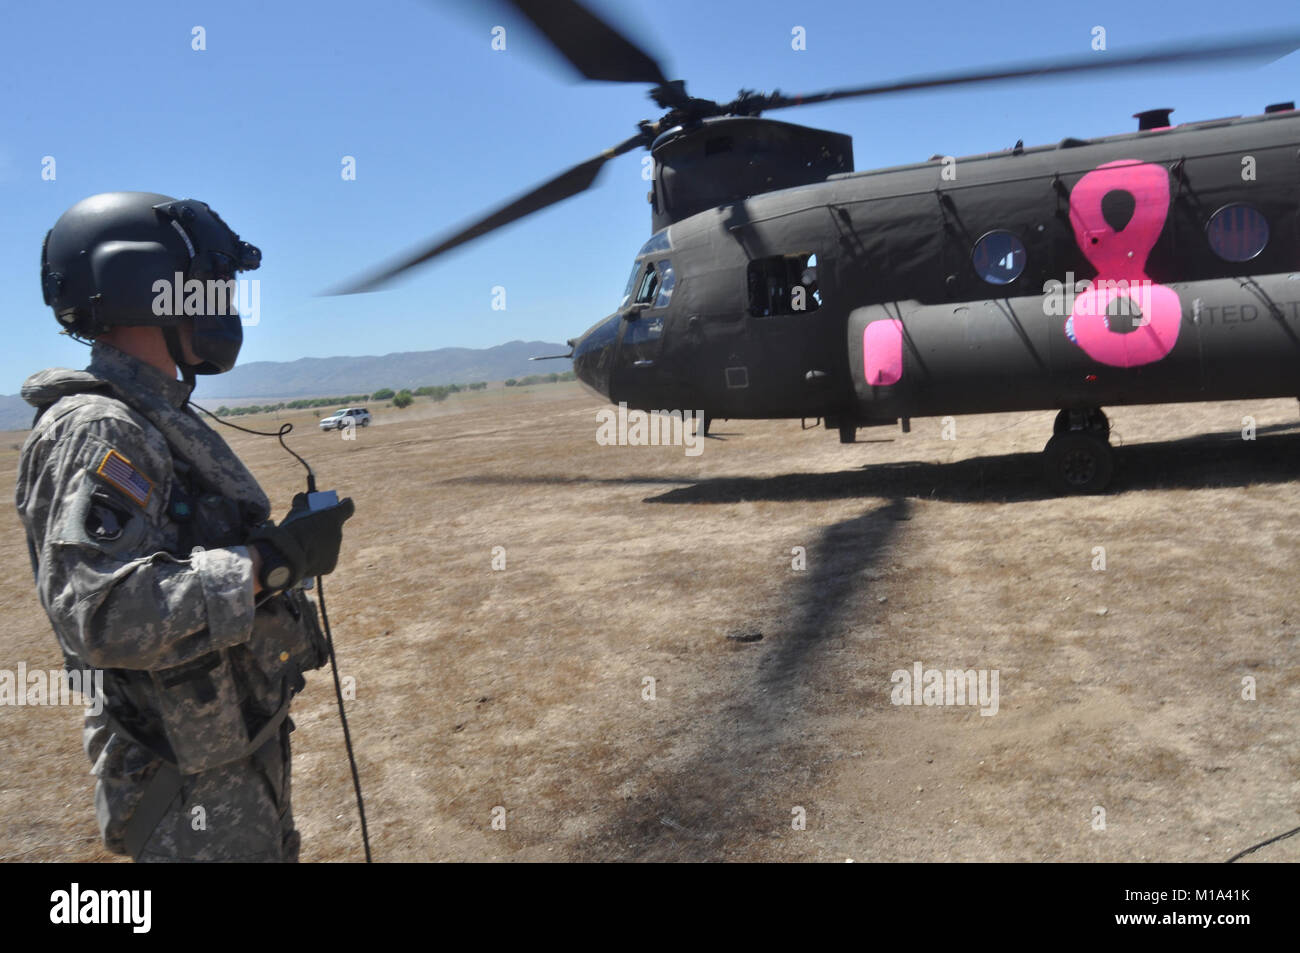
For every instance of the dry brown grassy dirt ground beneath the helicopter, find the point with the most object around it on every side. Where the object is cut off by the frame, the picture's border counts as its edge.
(1120, 690)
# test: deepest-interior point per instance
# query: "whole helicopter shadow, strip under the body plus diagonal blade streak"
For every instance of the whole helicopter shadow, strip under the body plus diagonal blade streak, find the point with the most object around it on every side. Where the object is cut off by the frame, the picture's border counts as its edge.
(730, 794)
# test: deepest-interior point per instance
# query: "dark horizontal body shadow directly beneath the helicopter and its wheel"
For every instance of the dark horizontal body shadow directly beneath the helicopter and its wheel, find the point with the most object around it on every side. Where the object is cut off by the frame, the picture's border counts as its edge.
(1202, 462)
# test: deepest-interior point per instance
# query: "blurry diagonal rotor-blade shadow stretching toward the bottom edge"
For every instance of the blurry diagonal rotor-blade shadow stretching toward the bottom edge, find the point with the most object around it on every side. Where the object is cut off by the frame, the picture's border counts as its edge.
(736, 779)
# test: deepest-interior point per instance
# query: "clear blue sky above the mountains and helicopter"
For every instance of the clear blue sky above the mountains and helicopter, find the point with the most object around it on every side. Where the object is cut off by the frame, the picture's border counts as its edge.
(444, 128)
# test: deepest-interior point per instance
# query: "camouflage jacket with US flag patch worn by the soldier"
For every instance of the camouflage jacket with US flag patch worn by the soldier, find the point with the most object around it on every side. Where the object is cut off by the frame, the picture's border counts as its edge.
(136, 514)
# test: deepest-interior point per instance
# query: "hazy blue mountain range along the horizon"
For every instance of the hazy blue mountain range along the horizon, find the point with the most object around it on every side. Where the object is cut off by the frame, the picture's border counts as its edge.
(343, 376)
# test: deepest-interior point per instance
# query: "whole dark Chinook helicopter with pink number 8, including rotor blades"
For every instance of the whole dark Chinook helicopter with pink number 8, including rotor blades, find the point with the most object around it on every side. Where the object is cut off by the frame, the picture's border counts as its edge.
(1152, 267)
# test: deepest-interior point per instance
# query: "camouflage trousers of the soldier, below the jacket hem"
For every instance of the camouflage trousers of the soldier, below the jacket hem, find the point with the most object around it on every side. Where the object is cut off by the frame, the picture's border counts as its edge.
(235, 813)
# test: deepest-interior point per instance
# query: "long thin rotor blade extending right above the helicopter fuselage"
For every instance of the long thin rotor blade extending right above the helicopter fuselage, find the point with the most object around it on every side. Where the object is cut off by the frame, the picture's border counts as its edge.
(1190, 55)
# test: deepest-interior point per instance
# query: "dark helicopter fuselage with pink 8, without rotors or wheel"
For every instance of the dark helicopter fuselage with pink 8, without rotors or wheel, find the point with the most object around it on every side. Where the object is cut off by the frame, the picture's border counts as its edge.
(1155, 267)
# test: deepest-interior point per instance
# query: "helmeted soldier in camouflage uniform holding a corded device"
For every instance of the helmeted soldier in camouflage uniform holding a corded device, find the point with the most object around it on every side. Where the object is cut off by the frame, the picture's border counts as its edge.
(153, 549)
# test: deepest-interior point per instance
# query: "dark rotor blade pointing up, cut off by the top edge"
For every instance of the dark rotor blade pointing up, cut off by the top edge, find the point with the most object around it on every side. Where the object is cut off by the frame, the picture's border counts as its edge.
(596, 49)
